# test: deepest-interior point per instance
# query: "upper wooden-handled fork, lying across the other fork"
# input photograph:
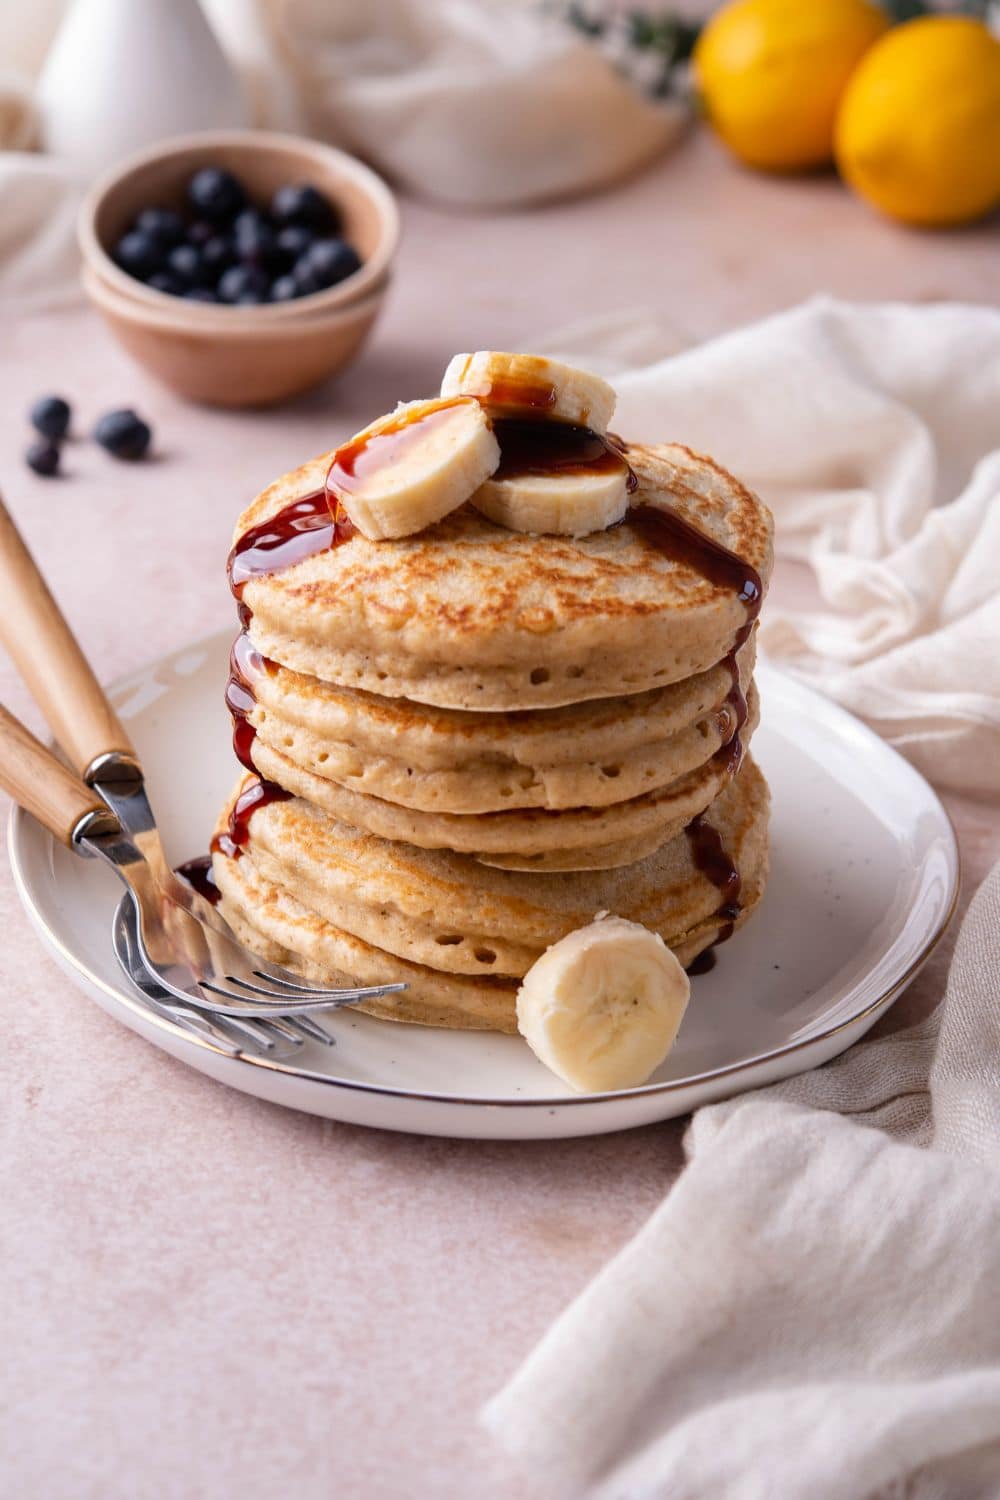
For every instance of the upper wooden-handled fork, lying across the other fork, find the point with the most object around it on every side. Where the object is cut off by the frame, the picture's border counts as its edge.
(52, 662)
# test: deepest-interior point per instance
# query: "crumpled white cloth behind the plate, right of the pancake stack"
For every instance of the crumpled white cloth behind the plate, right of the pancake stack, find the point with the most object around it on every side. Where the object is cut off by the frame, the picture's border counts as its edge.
(873, 434)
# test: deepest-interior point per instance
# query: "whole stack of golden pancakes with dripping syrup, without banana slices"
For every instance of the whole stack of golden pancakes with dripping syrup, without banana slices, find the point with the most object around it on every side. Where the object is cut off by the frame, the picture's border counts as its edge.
(464, 745)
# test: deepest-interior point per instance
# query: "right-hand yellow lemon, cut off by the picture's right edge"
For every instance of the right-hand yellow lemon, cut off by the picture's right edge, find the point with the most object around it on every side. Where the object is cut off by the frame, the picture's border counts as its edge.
(918, 133)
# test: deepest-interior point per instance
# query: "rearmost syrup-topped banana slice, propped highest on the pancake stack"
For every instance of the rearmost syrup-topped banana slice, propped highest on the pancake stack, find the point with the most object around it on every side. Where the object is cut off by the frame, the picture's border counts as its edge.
(531, 386)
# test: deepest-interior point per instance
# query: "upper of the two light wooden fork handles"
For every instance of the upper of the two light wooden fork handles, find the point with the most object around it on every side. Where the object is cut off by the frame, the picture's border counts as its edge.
(50, 661)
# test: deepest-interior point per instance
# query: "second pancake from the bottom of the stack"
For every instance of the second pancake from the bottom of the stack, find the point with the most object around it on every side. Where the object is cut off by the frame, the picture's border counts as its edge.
(446, 913)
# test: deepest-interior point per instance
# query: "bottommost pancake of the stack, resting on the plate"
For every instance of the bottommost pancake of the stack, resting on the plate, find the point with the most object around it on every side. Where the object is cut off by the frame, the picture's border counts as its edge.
(284, 929)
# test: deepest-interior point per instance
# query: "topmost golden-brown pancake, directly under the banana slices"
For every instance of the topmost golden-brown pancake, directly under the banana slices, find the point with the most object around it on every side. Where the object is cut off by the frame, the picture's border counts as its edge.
(476, 617)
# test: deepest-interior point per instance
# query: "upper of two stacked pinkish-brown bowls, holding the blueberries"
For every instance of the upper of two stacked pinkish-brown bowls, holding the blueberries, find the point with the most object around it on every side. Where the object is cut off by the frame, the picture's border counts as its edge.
(263, 161)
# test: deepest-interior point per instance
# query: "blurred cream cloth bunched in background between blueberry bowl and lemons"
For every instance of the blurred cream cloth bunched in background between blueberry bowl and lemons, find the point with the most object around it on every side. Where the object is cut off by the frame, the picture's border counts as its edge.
(472, 103)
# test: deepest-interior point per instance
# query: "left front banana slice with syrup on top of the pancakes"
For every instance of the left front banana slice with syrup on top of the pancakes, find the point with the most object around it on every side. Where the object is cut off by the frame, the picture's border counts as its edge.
(409, 470)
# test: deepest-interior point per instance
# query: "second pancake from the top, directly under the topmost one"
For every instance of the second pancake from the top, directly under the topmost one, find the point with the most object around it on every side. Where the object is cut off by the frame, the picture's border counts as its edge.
(605, 752)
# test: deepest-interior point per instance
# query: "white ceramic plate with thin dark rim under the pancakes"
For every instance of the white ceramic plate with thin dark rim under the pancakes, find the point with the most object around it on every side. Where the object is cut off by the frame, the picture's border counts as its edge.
(863, 884)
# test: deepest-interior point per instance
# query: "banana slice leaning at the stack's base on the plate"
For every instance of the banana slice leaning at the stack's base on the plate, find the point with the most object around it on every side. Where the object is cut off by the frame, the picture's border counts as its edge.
(603, 1006)
